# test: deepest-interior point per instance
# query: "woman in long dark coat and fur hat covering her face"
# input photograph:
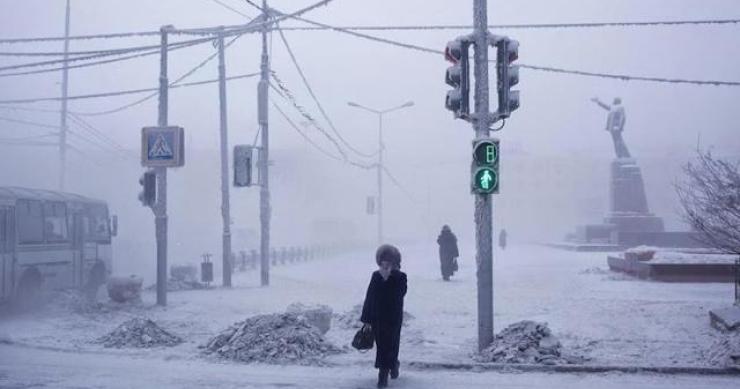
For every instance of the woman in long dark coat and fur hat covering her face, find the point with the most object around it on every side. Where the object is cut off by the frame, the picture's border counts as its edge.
(382, 311)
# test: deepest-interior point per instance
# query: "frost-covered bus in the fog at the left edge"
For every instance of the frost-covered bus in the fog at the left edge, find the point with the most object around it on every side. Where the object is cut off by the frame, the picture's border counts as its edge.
(52, 240)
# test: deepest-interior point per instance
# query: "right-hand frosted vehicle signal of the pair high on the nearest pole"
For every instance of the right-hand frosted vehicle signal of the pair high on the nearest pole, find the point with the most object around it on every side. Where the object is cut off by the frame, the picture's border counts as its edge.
(508, 75)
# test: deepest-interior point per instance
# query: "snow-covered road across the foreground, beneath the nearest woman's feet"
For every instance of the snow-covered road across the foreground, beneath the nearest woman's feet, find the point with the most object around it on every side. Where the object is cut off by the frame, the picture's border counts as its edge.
(22, 367)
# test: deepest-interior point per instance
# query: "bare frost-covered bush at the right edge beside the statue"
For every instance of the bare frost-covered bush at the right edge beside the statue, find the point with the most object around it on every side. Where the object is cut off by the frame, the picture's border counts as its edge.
(710, 197)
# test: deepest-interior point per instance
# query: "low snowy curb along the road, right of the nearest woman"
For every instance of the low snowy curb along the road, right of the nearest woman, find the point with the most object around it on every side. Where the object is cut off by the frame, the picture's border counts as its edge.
(510, 367)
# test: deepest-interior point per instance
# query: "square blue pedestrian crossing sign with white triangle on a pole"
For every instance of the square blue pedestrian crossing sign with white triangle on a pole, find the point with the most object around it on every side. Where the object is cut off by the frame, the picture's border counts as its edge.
(162, 147)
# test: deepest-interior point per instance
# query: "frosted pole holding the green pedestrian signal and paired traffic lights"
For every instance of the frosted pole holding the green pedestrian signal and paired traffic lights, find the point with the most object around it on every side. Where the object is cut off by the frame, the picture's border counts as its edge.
(483, 206)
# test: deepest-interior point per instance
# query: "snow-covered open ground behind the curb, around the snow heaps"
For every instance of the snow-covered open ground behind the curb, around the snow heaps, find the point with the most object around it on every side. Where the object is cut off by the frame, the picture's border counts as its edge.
(604, 316)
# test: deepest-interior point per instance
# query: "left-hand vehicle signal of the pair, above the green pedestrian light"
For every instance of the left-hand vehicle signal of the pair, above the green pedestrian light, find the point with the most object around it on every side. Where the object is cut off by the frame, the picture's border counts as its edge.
(458, 76)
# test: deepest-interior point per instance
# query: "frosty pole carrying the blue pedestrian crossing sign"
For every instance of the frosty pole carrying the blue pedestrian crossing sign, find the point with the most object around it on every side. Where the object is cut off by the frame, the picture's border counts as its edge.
(160, 209)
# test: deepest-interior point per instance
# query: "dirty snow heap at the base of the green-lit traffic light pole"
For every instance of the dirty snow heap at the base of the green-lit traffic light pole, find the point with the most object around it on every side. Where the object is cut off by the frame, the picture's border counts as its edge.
(525, 342)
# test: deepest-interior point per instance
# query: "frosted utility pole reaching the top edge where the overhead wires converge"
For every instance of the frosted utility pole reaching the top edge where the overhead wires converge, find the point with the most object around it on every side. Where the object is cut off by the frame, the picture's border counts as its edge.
(264, 160)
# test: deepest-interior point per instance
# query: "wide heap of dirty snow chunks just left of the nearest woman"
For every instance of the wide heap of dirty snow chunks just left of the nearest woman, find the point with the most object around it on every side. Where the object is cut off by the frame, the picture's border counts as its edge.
(274, 338)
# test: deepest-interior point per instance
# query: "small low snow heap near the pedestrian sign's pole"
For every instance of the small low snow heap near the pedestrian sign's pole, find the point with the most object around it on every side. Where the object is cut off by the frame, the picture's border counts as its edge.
(139, 333)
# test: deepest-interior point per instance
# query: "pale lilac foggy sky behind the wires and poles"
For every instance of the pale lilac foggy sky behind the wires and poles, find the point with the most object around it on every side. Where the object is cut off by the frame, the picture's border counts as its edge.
(556, 118)
